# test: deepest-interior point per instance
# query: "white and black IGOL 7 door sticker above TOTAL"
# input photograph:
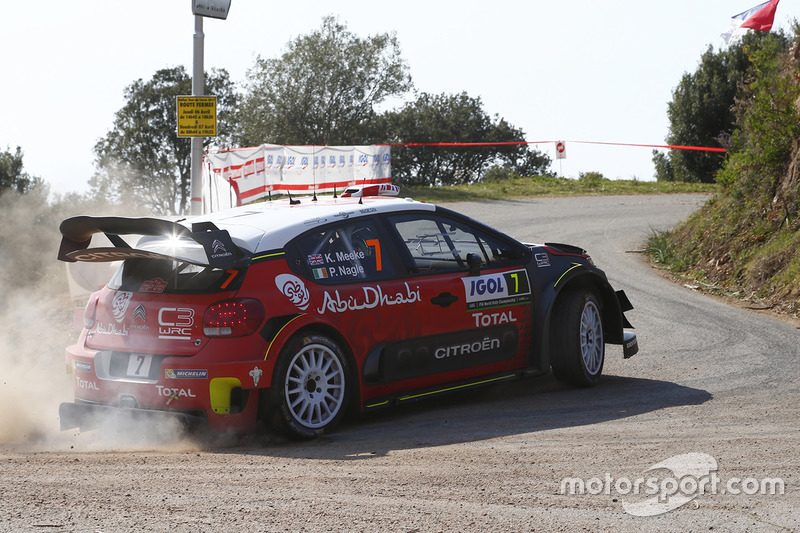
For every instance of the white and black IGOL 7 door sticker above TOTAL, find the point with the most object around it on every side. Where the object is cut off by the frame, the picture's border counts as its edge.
(494, 290)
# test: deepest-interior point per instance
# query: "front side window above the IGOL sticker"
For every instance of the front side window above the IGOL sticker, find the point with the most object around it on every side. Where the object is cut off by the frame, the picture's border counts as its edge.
(437, 243)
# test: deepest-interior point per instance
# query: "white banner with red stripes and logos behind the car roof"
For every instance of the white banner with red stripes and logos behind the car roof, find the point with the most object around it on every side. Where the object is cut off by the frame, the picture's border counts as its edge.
(252, 173)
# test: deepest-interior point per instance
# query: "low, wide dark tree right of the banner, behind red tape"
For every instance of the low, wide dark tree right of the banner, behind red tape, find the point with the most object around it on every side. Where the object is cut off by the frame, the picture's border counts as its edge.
(456, 118)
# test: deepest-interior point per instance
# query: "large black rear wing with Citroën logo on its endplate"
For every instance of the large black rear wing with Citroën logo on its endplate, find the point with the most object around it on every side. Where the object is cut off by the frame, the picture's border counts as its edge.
(204, 244)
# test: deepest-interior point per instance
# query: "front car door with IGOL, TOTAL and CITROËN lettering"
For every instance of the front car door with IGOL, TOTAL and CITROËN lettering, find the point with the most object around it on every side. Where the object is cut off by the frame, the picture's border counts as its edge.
(474, 298)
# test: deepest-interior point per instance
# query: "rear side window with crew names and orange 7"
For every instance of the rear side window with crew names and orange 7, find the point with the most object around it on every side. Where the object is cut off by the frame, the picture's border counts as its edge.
(344, 253)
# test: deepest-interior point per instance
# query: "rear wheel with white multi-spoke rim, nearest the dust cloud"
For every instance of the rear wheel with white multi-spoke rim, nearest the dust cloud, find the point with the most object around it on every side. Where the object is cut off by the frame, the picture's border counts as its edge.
(310, 388)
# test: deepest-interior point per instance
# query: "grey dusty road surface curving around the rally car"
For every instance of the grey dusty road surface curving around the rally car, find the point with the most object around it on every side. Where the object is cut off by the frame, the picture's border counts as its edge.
(712, 395)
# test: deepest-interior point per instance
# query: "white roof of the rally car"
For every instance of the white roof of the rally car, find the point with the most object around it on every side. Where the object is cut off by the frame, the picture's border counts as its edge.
(270, 225)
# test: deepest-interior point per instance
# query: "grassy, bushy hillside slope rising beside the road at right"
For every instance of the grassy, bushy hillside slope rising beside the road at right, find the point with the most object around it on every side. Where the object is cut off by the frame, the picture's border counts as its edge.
(744, 241)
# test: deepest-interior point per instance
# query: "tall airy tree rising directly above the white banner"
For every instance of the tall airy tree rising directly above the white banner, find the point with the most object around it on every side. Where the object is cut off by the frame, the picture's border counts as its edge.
(323, 89)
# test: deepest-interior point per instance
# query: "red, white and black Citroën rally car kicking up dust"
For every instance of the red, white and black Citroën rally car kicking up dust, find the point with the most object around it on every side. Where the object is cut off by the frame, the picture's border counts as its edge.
(293, 313)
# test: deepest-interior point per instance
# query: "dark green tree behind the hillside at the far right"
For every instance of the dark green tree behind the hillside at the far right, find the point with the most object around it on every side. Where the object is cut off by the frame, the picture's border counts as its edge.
(701, 111)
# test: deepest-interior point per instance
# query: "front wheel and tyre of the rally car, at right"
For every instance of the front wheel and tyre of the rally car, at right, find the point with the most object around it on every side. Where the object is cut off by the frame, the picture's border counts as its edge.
(577, 341)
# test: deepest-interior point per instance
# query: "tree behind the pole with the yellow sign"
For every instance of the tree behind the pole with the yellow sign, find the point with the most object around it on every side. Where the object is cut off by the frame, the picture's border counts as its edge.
(142, 162)
